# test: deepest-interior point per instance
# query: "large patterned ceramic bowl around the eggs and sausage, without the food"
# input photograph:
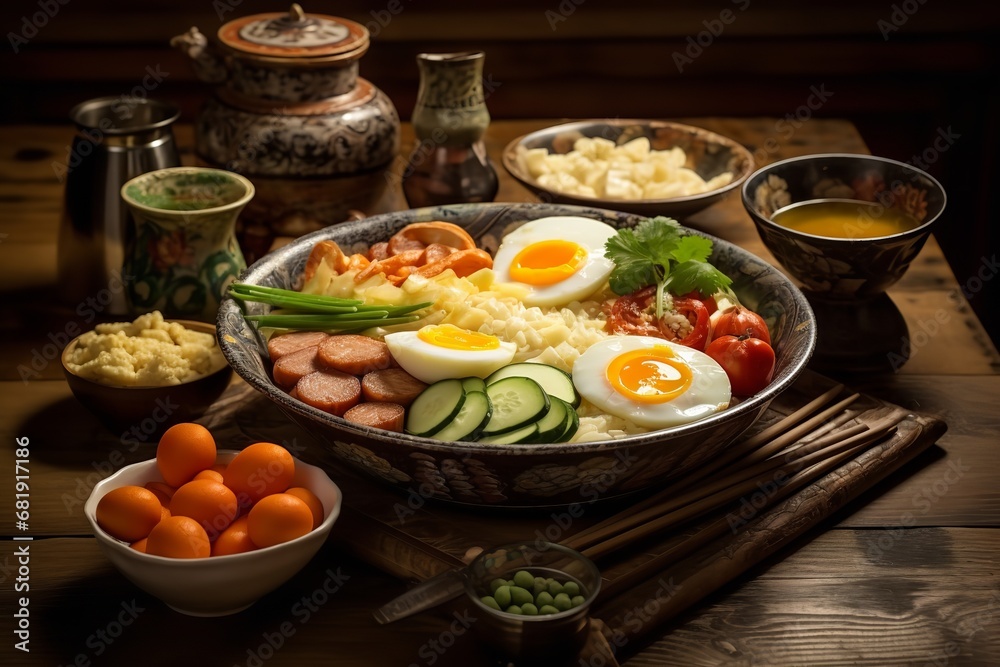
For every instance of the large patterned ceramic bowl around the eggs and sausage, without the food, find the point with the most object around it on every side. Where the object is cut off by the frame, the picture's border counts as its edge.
(478, 473)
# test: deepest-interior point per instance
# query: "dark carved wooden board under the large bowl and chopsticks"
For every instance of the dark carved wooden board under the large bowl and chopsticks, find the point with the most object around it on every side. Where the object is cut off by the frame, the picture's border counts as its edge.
(415, 538)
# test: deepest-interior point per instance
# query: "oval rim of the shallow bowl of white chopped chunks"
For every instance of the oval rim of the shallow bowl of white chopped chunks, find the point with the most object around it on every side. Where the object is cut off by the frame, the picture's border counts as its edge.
(508, 158)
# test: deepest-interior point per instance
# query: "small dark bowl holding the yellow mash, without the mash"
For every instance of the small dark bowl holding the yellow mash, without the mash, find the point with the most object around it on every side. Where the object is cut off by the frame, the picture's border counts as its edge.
(145, 412)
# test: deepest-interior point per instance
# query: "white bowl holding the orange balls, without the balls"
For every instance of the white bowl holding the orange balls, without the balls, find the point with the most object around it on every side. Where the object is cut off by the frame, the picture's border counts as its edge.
(216, 585)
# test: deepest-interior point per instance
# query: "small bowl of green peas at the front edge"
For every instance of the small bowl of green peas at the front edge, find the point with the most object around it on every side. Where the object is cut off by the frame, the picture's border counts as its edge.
(531, 599)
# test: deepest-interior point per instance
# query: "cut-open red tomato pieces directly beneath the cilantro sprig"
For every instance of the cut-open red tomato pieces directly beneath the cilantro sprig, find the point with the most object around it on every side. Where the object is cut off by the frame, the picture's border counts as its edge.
(635, 315)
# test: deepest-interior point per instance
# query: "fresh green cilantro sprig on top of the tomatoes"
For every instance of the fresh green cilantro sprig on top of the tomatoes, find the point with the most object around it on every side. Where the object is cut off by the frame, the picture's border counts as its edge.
(656, 252)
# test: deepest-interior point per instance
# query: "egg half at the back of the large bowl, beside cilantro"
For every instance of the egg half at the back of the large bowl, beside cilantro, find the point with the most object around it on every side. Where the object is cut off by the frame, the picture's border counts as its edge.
(558, 259)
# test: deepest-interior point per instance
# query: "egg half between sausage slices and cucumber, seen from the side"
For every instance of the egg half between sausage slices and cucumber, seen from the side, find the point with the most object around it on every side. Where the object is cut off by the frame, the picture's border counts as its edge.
(441, 351)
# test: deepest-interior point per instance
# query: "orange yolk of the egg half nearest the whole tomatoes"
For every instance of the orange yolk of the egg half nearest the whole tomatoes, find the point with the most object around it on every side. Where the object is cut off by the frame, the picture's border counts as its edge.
(653, 375)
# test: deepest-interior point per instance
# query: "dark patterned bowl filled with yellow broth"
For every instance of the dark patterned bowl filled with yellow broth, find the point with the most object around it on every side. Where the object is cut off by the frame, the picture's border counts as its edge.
(845, 226)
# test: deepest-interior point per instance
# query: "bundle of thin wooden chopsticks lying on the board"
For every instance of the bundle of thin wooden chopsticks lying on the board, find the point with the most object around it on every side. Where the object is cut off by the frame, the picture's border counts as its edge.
(783, 458)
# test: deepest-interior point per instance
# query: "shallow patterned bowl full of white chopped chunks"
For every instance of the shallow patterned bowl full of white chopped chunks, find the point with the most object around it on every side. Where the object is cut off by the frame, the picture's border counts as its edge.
(648, 167)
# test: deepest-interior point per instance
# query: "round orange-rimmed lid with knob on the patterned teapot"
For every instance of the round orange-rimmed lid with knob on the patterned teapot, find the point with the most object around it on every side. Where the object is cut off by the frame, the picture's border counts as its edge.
(294, 34)
